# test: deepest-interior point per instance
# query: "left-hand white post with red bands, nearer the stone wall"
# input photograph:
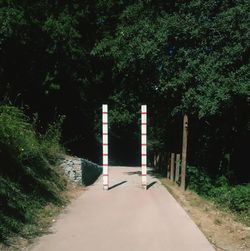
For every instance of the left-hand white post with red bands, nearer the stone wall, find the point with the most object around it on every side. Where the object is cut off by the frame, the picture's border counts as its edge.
(105, 166)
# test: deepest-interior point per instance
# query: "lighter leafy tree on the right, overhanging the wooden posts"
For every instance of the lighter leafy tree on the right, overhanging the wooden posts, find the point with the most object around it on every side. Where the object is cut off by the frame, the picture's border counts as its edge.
(191, 57)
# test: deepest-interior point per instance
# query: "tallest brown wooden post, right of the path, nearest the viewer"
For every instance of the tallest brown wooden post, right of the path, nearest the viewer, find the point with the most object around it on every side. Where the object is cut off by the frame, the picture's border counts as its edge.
(184, 152)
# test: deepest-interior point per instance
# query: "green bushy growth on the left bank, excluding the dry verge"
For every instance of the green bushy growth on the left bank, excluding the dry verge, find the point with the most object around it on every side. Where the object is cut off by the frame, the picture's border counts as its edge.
(28, 178)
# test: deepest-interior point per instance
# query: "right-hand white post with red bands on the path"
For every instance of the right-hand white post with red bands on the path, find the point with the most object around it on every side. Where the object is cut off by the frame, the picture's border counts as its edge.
(144, 145)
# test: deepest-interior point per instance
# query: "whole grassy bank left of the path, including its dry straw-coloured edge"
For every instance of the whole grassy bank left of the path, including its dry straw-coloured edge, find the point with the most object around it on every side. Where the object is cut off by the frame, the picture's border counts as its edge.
(33, 188)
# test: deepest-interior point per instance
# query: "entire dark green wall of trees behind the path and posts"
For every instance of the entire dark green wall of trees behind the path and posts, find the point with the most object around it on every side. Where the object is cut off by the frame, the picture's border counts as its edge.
(69, 57)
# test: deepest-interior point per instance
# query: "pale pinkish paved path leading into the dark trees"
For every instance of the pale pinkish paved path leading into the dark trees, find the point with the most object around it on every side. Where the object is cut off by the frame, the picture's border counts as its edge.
(125, 218)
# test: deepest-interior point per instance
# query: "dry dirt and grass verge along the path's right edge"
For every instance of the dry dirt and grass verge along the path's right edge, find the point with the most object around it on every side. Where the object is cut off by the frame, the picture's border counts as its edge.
(221, 228)
